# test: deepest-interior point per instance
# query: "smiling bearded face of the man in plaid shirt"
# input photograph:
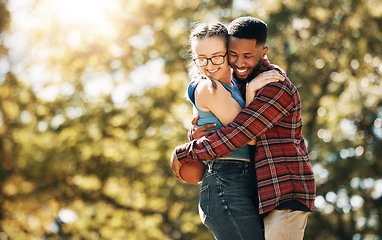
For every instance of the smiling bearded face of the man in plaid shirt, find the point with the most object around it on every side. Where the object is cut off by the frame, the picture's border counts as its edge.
(245, 57)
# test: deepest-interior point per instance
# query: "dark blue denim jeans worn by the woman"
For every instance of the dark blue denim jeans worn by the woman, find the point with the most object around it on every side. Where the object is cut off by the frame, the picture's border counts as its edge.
(228, 201)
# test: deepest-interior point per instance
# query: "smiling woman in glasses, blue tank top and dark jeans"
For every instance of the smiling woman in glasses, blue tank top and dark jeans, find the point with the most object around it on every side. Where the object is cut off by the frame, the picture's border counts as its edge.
(228, 199)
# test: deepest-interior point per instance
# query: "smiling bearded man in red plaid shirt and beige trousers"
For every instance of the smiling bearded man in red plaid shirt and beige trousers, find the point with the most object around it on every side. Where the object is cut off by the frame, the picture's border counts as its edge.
(285, 179)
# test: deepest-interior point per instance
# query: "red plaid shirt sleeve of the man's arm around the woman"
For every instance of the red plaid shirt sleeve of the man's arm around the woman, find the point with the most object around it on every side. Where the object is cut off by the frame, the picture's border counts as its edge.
(271, 104)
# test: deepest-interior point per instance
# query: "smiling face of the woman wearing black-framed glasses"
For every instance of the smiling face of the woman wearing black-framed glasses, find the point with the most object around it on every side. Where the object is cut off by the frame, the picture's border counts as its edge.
(212, 47)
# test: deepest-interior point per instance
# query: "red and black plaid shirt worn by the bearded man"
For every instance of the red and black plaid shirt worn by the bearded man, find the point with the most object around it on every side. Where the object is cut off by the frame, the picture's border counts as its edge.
(283, 168)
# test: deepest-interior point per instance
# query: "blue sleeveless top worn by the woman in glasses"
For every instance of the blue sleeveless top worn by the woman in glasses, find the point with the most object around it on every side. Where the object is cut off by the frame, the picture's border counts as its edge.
(208, 117)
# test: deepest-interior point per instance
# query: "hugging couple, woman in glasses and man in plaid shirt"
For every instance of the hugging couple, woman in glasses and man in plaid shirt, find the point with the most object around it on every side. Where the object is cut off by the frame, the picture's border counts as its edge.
(258, 183)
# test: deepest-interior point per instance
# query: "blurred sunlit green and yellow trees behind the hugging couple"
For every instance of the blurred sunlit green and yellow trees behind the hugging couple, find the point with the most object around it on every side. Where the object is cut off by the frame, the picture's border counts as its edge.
(92, 105)
